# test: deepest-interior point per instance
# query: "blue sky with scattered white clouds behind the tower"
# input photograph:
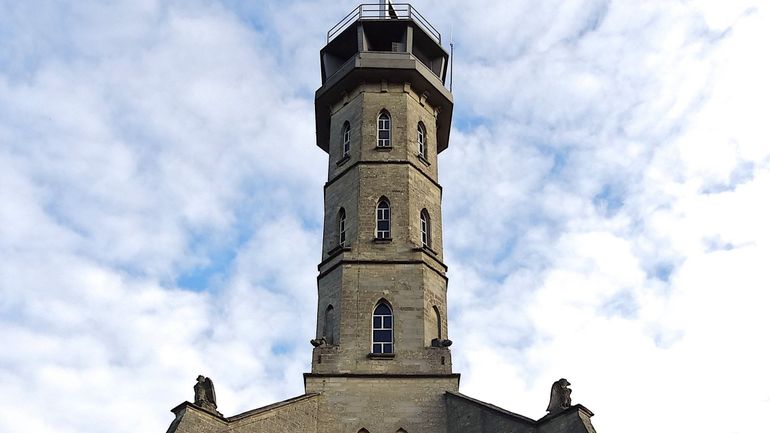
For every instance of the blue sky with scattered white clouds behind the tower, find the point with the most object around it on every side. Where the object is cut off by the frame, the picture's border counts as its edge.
(605, 207)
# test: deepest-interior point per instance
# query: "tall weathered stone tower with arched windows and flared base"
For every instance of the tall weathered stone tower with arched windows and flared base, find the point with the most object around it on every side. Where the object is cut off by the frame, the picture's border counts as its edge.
(361, 381)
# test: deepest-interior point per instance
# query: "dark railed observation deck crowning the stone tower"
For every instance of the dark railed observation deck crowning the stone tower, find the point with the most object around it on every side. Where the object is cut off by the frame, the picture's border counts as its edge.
(390, 43)
